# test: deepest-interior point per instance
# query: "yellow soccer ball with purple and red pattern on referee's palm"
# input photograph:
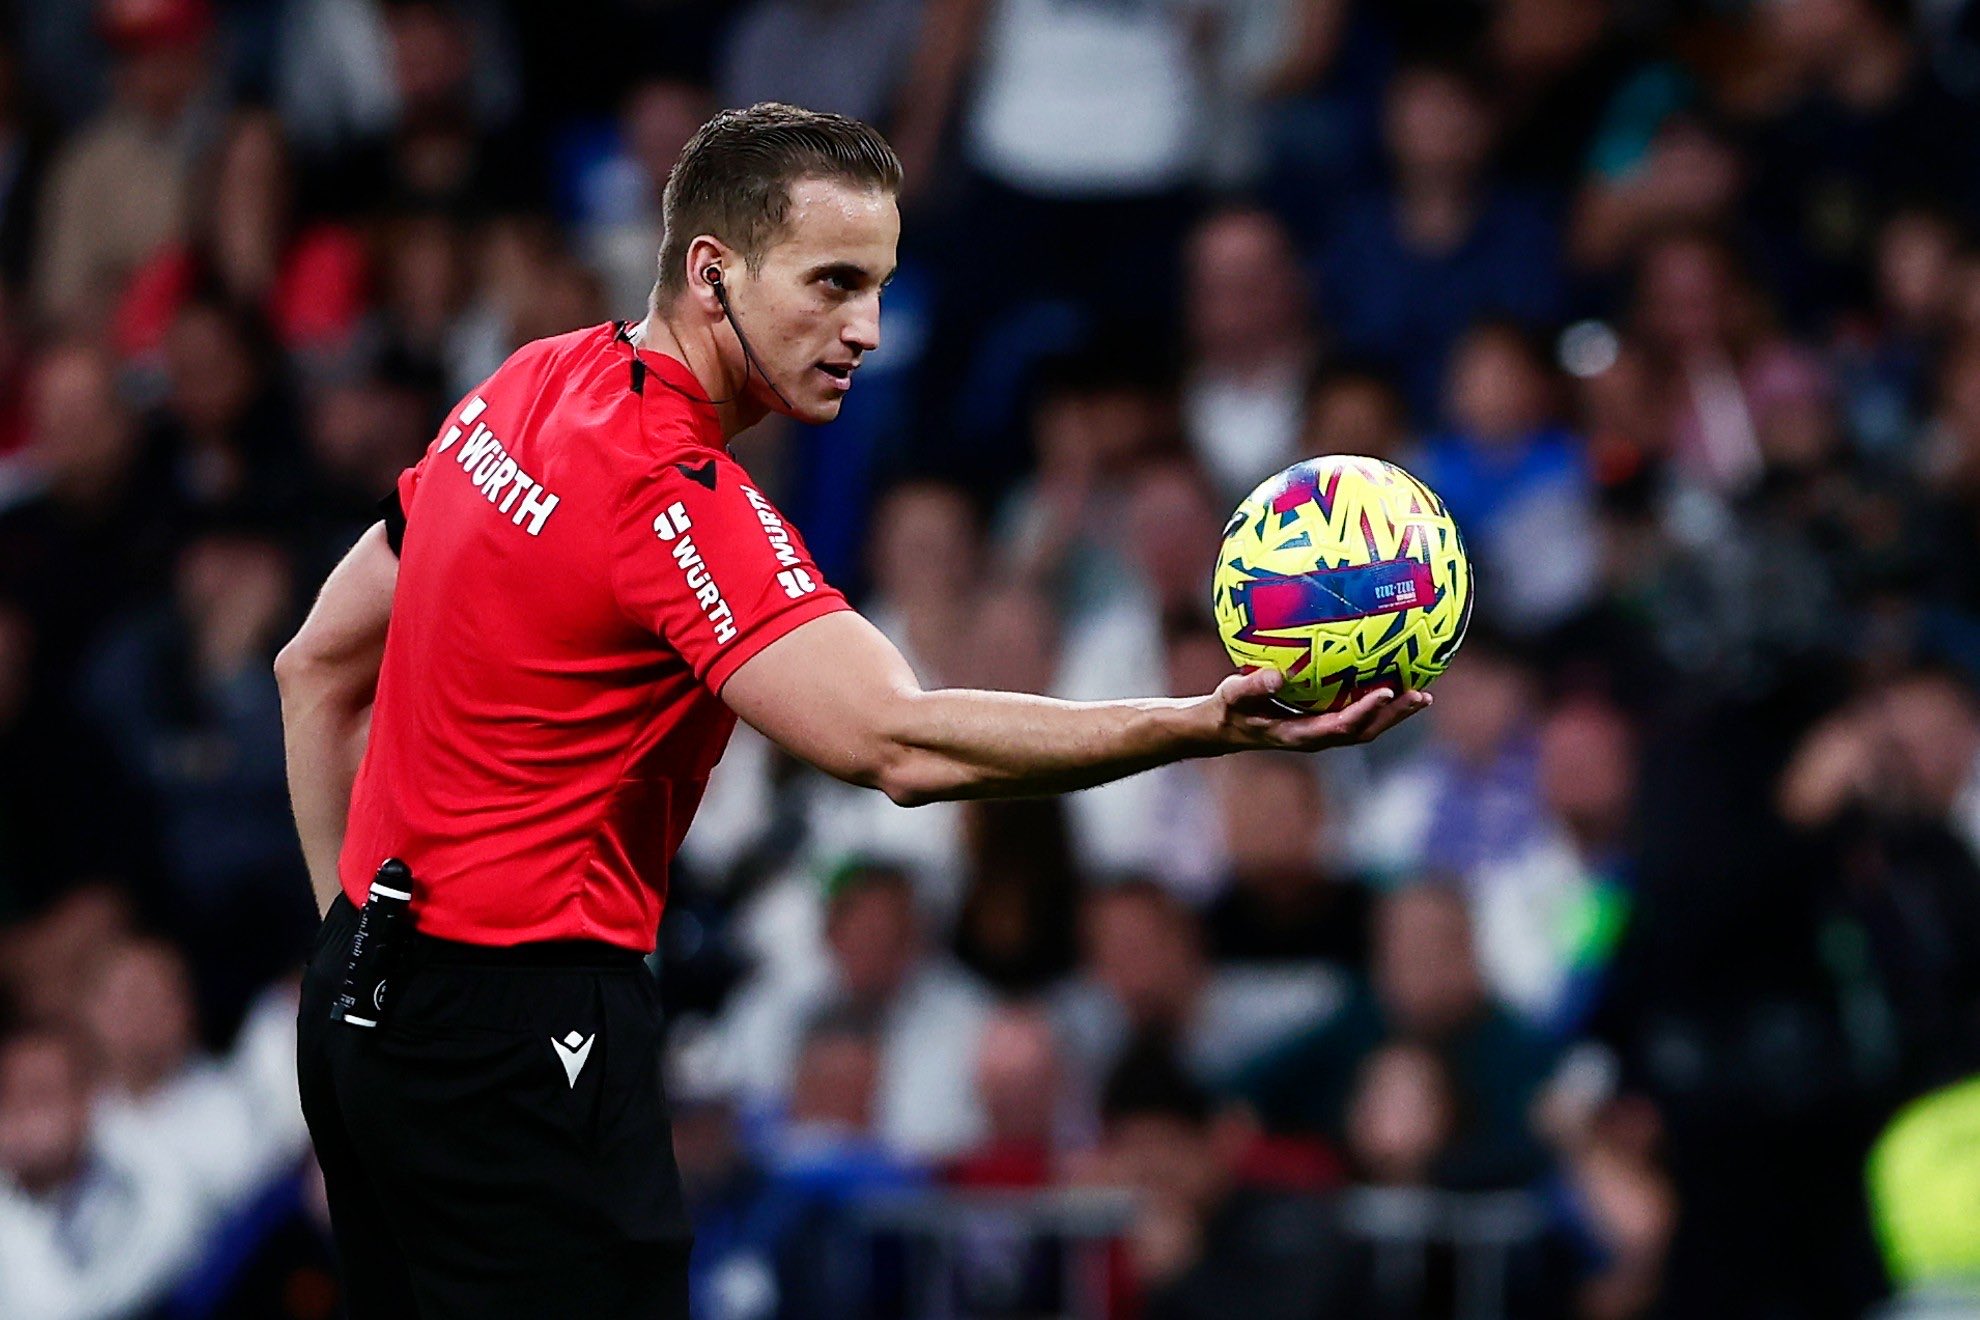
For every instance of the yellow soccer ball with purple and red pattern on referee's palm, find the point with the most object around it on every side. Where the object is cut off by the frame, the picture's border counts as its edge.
(1343, 573)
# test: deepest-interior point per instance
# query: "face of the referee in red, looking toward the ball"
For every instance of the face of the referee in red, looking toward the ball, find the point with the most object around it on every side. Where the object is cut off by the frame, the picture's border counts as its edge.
(811, 312)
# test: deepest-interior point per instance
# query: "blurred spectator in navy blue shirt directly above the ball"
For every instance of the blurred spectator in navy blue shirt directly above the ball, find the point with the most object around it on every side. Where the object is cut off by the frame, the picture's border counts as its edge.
(1442, 244)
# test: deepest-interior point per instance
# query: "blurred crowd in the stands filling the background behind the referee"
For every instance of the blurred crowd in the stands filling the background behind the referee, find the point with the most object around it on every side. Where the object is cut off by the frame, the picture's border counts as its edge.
(1585, 996)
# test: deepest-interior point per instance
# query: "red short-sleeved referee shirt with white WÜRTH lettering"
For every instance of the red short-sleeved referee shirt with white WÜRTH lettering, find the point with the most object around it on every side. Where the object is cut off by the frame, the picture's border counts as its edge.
(583, 569)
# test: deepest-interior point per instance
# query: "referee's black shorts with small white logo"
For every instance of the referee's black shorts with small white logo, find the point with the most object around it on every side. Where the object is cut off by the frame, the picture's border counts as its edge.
(500, 1145)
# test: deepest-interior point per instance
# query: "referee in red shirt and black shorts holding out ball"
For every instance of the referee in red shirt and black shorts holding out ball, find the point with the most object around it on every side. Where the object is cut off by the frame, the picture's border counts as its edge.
(585, 593)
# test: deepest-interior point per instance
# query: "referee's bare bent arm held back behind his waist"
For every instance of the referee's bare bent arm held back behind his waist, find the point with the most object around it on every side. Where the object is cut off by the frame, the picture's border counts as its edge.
(330, 676)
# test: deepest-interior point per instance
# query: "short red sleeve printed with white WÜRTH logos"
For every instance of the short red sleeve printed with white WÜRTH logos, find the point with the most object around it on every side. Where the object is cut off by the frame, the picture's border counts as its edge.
(706, 563)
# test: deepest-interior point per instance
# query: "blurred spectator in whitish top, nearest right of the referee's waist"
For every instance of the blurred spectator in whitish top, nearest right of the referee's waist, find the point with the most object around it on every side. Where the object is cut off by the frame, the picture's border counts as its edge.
(922, 1010)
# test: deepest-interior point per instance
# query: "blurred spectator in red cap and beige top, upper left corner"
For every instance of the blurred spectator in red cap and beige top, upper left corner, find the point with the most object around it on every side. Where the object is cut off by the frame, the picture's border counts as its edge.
(118, 189)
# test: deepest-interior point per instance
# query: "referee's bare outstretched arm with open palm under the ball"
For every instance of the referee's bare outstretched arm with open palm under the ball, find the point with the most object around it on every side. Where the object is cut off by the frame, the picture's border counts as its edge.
(837, 694)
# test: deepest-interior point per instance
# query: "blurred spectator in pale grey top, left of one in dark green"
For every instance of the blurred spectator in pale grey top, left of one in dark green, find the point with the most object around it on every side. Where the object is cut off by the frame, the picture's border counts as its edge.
(1143, 975)
